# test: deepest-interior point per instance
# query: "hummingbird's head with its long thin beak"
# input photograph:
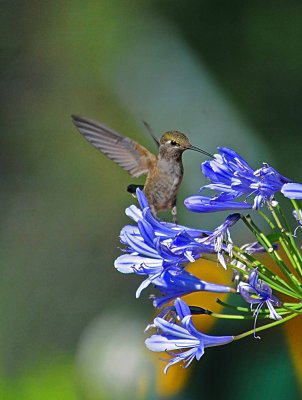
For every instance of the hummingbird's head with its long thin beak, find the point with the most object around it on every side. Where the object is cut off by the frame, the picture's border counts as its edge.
(174, 143)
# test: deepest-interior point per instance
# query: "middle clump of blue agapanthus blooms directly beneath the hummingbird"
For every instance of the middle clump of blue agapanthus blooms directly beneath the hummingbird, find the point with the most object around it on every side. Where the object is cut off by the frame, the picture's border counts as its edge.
(154, 248)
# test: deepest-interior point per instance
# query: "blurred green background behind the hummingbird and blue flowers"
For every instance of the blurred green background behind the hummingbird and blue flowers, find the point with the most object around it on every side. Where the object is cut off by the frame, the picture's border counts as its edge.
(227, 73)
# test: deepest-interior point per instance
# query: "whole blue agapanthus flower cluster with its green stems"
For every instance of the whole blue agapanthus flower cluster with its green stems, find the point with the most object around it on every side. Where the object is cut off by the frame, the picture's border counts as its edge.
(161, 252)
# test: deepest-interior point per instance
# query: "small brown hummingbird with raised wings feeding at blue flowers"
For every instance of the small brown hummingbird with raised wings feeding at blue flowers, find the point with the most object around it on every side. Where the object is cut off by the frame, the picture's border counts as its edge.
(164, 171)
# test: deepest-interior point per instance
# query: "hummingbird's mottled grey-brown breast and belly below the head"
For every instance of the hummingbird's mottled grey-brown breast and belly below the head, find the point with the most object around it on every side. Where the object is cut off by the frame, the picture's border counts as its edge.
(162, 184)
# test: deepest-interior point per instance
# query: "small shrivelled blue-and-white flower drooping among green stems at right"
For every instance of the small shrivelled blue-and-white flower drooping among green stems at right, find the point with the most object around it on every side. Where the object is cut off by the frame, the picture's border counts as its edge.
(259, 292)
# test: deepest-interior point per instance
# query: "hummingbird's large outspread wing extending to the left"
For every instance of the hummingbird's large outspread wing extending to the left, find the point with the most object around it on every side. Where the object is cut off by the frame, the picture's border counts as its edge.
(130, 155)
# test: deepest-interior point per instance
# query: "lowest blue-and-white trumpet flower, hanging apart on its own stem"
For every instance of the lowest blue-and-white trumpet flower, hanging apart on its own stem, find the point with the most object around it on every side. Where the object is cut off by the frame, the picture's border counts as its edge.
(182, 340)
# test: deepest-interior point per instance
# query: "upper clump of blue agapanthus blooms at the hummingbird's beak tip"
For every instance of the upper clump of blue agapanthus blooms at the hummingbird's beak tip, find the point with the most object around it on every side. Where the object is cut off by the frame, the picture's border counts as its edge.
(232, 177)
